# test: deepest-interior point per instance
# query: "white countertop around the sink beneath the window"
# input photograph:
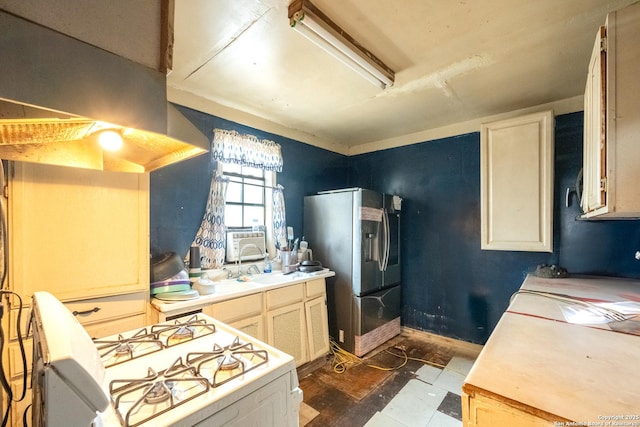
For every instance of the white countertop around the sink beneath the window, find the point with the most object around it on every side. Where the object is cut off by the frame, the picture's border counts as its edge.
(232, 288)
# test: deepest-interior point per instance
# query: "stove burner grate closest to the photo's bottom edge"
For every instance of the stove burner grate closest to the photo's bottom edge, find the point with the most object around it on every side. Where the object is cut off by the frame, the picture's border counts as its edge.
(141, 399)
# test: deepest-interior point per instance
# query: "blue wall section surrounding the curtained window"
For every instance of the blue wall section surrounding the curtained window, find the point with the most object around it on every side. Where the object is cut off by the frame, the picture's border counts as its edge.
(179, 192)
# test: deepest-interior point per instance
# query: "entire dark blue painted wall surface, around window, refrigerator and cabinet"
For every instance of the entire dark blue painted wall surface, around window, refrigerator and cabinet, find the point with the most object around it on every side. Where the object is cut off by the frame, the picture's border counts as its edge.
(450, 286)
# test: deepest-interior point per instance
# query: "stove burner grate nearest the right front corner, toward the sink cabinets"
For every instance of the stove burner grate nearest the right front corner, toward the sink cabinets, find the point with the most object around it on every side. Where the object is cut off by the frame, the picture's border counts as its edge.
(223, 364)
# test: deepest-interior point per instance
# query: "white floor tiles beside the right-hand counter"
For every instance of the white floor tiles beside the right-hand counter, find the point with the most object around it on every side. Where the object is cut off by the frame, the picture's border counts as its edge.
(432, 399)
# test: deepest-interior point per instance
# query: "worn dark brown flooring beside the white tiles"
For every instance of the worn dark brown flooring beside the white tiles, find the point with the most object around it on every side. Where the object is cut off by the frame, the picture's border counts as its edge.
(351, 398)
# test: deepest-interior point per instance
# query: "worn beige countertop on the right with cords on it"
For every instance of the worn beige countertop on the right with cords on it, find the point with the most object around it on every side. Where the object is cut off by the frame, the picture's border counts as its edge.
(562, 371)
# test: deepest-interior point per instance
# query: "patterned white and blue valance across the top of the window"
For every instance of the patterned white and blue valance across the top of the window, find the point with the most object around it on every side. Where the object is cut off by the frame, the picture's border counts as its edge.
(231, 147)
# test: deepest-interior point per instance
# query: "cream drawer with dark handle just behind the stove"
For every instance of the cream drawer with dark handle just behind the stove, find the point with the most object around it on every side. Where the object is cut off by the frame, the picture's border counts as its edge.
(100, 309)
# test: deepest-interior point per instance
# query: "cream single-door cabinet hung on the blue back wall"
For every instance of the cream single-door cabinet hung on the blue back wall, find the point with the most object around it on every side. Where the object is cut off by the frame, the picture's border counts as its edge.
(516, 188)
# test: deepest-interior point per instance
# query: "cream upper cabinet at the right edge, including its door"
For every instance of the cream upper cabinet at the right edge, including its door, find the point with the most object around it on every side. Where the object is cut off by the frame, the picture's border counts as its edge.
(611, 171)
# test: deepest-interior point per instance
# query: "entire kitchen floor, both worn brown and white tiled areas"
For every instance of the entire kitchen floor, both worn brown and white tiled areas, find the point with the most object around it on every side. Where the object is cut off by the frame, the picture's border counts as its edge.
(417, 394)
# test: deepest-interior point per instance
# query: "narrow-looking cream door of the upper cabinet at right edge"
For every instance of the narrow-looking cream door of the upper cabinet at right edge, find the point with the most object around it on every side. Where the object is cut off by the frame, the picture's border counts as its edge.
(595, 116)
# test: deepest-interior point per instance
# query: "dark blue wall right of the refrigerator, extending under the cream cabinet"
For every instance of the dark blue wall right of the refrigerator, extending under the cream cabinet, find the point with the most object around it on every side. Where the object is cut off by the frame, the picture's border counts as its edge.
(451, 287)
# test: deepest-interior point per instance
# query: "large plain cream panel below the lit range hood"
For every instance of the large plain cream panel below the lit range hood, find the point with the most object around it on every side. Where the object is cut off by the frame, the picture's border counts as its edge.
(78, 233)
